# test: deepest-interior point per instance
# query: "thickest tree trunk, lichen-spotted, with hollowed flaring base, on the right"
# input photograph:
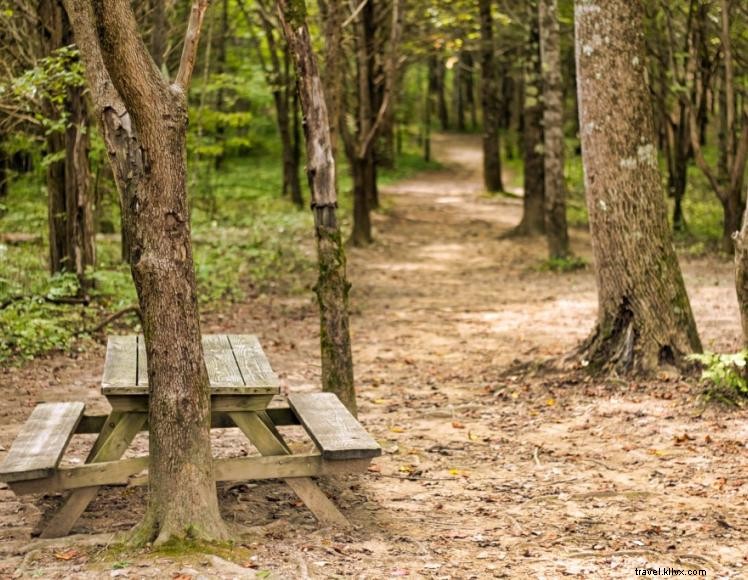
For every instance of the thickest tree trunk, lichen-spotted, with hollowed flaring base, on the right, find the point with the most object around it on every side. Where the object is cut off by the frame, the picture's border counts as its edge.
(644, 317)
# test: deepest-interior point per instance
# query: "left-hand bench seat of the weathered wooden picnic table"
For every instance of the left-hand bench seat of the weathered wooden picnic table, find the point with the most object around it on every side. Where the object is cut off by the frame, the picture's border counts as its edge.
(39, 446)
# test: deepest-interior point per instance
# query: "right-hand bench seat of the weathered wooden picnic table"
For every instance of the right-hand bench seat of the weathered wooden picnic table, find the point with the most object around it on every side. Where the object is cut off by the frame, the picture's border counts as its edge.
(336, 432)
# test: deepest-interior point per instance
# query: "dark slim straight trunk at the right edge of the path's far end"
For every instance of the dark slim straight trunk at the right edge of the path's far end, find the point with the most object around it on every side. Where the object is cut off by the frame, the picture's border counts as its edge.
(489, 102)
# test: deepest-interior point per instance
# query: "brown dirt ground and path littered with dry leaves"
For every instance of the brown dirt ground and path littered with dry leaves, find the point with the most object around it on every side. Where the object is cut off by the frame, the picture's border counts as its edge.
(487, 472)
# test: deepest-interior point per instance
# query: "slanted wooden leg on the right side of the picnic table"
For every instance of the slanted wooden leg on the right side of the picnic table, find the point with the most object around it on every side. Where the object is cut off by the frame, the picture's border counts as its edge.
(259, 429)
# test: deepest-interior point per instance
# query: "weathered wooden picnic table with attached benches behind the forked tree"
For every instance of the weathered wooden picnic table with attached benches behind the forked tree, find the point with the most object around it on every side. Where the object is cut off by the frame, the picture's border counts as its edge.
(242, 386)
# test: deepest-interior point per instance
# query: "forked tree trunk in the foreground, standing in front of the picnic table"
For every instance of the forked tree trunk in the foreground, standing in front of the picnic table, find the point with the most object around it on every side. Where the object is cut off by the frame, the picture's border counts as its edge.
(149, 161)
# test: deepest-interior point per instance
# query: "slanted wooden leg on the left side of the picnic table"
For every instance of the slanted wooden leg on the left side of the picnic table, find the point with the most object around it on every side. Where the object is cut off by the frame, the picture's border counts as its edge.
(111, 444)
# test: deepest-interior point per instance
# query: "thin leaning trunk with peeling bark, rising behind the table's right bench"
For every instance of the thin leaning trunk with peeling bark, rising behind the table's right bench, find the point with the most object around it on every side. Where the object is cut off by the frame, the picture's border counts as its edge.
(332, 286)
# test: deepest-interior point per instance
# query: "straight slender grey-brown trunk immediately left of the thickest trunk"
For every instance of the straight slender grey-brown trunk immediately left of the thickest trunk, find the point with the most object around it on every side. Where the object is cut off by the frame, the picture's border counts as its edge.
(553, 131)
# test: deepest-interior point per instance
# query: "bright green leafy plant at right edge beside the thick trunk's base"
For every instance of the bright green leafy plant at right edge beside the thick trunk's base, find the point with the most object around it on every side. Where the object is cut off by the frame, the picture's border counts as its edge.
(724, 376)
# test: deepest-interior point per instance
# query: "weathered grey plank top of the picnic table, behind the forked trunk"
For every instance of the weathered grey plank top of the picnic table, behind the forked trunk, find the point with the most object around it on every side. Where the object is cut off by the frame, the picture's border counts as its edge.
(236, 365)
